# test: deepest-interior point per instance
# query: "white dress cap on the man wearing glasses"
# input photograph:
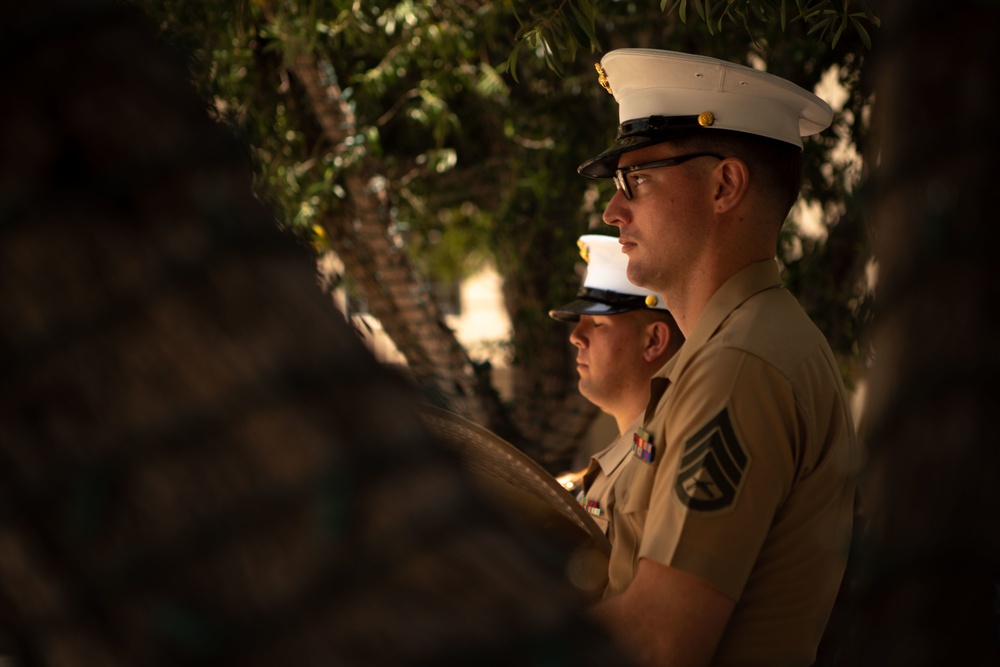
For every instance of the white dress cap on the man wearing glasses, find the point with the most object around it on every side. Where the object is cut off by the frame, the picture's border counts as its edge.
(684, 92)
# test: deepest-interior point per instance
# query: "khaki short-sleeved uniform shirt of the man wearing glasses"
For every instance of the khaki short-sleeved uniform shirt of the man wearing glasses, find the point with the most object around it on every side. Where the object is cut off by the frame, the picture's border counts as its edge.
(744, 472)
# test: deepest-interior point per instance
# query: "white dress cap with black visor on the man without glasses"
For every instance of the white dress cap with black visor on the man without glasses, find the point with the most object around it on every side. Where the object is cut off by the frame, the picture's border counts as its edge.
(606, 288)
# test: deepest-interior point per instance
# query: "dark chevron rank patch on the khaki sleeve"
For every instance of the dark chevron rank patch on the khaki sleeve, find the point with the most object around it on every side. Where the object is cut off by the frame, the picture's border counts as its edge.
(713, 466)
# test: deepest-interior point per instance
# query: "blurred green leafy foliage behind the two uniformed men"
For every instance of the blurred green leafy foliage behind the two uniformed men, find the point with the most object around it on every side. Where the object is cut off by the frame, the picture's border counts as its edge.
(479, 113)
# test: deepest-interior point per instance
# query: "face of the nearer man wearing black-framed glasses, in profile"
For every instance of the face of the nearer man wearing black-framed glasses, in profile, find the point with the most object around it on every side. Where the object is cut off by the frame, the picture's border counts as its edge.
(661, 227)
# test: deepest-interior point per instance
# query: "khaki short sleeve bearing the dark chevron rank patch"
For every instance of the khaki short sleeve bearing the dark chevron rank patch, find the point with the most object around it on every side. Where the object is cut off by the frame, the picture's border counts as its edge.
(731, 431)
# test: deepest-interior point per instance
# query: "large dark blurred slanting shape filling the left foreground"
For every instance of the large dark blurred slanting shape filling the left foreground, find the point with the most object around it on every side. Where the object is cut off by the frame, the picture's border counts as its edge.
(199, 462)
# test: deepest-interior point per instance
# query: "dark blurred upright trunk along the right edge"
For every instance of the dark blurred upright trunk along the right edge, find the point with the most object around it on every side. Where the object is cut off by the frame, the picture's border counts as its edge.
(929, 570)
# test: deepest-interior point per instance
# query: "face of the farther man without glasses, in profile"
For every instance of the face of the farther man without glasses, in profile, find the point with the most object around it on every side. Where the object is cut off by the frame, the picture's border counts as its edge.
(609, 358)
